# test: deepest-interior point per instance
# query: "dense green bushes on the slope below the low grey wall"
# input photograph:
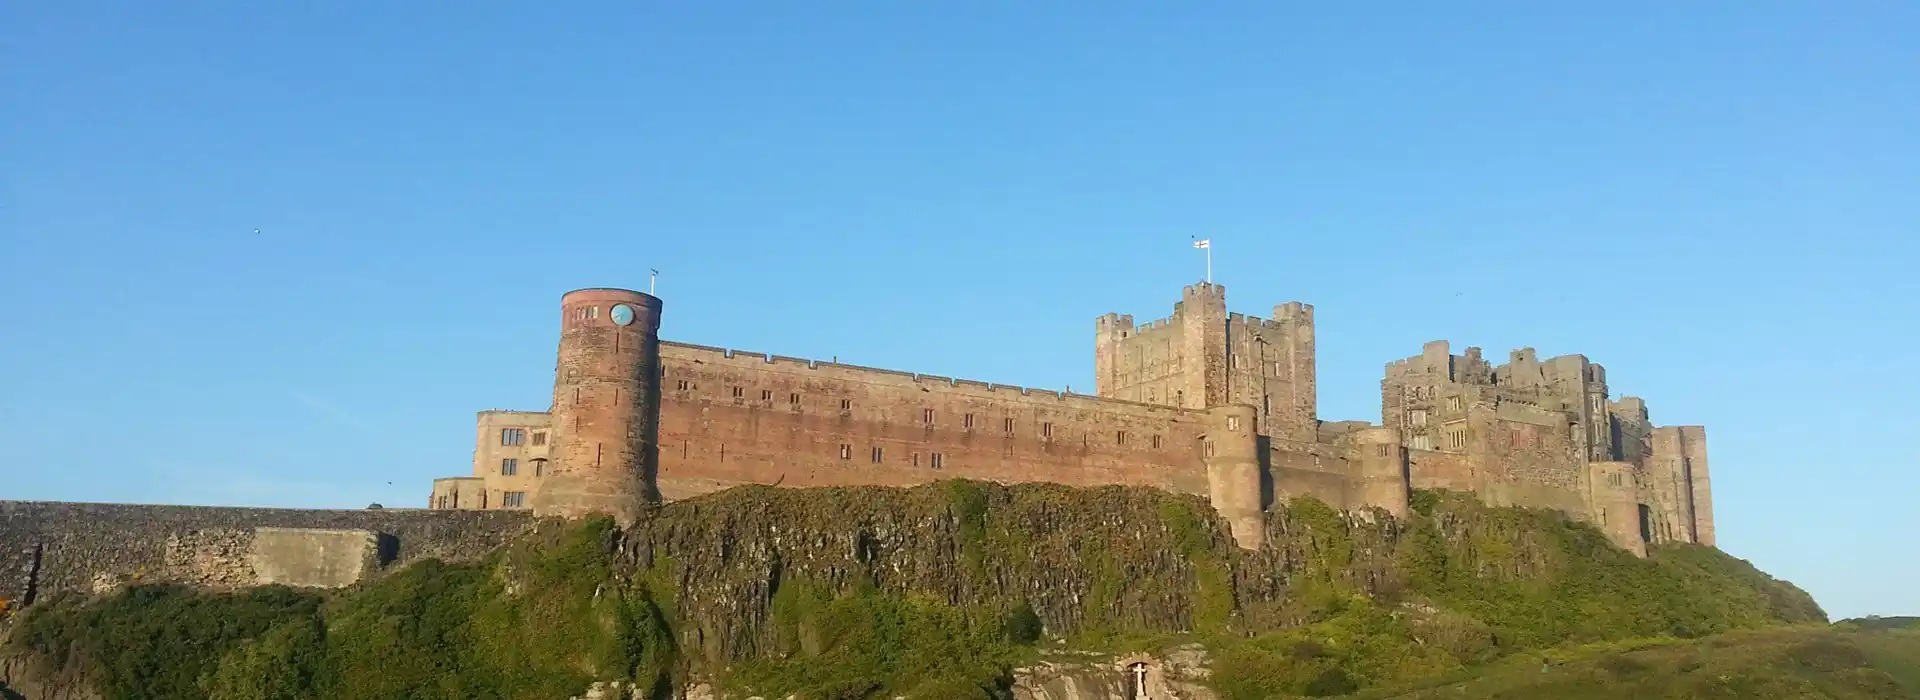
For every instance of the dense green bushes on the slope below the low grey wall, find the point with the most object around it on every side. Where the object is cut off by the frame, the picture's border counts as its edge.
(531, 624)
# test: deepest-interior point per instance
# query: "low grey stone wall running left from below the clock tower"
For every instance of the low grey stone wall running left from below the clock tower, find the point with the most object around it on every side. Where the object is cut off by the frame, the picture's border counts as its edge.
(91, 548)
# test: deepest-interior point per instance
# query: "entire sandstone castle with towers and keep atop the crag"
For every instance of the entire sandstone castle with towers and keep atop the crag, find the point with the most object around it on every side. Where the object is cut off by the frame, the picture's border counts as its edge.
(1205, 402)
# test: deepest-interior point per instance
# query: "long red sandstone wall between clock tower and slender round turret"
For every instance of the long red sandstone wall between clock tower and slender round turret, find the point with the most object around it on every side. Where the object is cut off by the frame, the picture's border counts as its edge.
(713, 438)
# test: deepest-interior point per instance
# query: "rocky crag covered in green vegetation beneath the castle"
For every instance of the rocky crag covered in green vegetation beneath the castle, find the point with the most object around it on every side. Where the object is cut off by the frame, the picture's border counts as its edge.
(940, 594)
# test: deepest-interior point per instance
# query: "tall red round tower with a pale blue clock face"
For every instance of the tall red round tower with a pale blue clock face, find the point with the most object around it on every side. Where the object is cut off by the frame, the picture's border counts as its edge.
(606, 406)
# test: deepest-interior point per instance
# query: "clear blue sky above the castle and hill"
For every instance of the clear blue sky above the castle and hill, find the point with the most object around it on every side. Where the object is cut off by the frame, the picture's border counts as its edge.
(1717, 200)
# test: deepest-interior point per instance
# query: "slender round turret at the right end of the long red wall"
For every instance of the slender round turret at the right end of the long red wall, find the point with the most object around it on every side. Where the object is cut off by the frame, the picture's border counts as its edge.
(1234, 473)
